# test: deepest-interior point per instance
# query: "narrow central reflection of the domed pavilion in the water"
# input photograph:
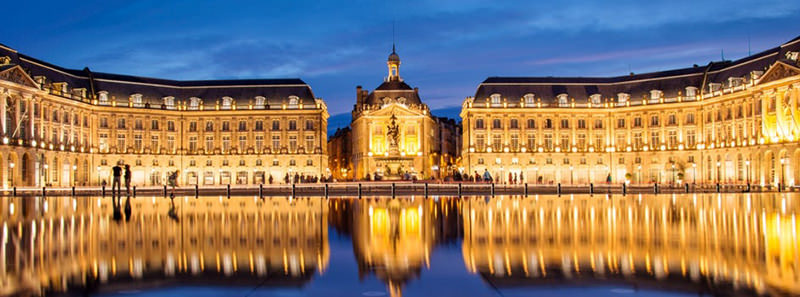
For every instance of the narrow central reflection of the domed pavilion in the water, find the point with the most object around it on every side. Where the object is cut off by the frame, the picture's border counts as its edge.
(394, 238)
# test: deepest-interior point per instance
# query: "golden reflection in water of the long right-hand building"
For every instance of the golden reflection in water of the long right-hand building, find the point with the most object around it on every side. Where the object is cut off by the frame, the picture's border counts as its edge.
(684, 242)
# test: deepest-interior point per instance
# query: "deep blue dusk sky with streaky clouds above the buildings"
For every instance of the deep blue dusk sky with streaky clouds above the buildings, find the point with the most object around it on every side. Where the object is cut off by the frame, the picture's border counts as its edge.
(447, 47)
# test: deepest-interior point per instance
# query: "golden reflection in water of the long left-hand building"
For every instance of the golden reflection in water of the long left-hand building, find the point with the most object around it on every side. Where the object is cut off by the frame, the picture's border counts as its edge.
(55, 244)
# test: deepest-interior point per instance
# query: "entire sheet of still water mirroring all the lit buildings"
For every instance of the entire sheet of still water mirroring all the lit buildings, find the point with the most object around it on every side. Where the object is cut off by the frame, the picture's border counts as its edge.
(687, 244)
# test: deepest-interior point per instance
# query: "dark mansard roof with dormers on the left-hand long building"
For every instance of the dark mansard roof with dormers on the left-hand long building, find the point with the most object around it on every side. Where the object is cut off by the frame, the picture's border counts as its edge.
(153, 90)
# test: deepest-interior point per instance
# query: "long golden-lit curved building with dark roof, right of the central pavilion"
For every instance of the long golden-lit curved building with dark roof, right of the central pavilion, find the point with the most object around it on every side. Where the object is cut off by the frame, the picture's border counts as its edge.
(727, 122)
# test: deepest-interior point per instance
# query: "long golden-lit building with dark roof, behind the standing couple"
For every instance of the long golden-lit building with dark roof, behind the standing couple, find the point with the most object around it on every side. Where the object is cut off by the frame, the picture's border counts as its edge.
(70, 127)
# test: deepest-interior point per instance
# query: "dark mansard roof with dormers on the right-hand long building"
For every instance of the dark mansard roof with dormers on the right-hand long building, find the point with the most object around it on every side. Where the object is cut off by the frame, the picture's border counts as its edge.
(638, 86)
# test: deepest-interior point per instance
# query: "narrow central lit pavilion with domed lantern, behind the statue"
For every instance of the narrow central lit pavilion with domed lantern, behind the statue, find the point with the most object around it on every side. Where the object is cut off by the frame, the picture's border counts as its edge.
(393, 132)
